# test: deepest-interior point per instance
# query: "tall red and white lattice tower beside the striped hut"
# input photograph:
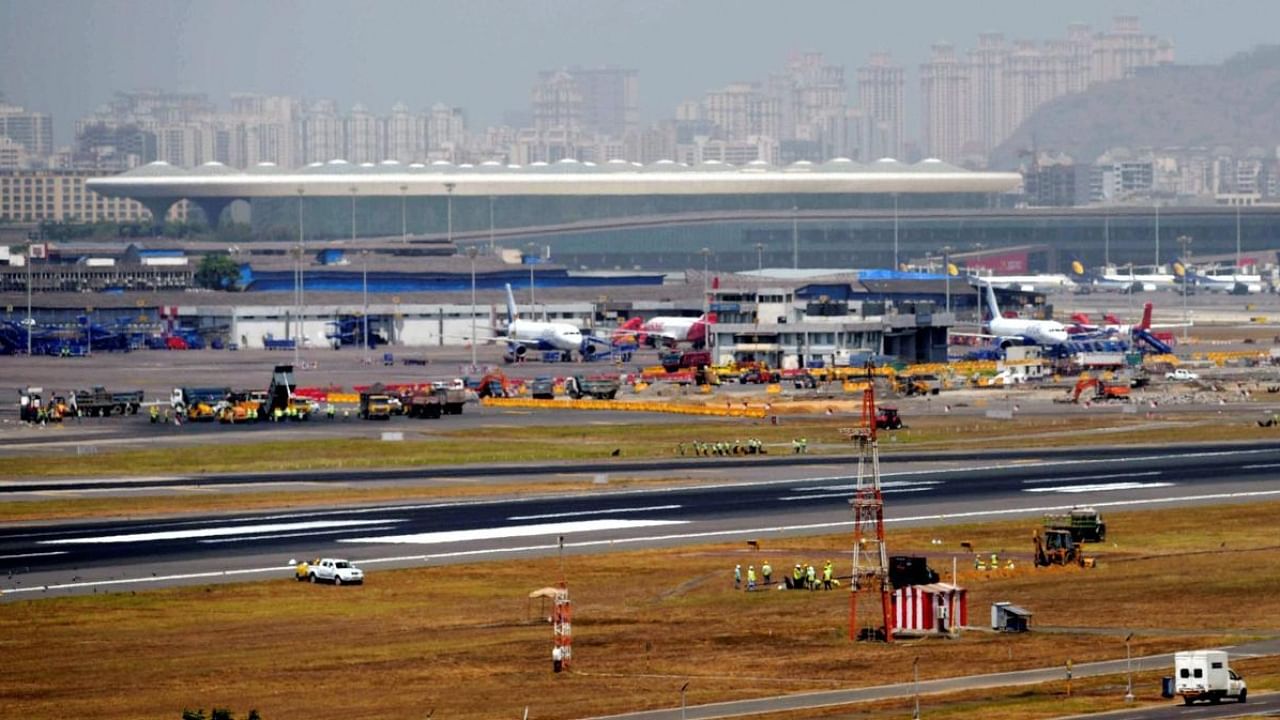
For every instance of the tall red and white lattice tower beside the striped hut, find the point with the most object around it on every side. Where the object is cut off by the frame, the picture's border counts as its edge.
(871, 557)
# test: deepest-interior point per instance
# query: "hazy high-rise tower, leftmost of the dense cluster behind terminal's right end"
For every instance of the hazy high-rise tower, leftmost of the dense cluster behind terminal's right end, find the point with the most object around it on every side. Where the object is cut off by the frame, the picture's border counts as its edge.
(947, 113)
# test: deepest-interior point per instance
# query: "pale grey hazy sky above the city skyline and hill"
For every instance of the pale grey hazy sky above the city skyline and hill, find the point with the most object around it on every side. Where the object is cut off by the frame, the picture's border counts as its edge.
(67, 57)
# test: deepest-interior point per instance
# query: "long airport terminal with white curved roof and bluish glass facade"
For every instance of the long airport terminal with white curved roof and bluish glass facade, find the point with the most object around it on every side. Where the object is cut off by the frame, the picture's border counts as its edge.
(623, 216)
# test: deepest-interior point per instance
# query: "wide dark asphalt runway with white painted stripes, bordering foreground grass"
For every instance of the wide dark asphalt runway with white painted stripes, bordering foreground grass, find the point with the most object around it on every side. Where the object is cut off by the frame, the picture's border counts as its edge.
(729, 502)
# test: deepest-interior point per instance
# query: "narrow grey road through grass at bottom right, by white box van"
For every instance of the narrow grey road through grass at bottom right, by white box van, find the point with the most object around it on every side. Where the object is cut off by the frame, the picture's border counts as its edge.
(828, 699)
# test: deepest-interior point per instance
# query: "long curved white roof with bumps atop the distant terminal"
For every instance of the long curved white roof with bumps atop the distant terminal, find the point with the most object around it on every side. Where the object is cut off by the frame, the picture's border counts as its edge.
(566, 177)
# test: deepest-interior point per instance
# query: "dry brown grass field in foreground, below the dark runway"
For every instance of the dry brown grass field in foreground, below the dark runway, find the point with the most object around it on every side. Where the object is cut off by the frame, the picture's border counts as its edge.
(467, 642)
